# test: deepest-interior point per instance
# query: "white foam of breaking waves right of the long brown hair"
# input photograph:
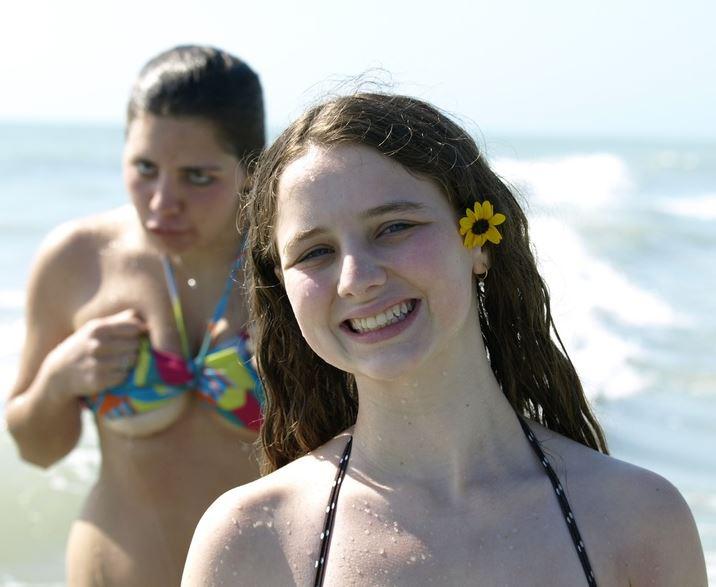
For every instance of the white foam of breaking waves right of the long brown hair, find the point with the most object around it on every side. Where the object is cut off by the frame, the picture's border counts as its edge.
(589, 296)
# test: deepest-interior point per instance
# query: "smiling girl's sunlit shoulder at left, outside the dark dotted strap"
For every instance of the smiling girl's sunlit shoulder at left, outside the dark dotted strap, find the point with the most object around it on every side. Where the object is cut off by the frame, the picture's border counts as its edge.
(265, 532)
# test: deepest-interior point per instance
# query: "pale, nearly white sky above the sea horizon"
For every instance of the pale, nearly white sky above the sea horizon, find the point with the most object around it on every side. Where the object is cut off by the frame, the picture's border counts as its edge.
(566, 67)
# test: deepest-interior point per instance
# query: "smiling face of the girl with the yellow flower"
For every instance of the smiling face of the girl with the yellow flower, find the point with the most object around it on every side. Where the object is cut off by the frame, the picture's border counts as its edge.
(373, 264)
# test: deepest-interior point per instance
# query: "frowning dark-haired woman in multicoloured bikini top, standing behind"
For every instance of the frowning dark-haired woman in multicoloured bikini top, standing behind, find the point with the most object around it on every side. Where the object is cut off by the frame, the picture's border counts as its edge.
(133, 314)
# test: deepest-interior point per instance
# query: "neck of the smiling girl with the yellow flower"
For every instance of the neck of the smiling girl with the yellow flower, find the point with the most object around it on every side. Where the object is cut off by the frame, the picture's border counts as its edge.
(446, 427)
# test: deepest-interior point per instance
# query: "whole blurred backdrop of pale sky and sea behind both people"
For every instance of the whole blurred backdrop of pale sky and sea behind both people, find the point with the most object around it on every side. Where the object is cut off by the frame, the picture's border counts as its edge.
(600, 114)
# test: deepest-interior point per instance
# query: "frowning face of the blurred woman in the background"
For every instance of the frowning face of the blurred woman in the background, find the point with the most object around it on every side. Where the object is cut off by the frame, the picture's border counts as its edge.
(182, 182)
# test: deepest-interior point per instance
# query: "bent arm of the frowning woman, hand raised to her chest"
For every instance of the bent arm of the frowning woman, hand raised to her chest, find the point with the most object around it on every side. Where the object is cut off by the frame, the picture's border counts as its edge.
(57, 365)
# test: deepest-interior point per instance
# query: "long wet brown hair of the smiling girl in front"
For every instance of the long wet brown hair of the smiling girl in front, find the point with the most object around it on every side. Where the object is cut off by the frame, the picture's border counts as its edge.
(310, 401)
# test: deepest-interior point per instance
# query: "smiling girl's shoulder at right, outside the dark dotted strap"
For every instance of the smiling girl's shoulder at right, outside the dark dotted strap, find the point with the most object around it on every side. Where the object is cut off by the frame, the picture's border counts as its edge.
(635, 520)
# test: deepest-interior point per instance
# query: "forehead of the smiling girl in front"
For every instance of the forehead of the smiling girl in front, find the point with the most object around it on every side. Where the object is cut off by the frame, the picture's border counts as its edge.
(347, 180)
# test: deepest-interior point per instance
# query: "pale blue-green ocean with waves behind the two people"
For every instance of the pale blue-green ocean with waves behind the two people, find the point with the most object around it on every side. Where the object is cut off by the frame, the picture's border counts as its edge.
(625, 234)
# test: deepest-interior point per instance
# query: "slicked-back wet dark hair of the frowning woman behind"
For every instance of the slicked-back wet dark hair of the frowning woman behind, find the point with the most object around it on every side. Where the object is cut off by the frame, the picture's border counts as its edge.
(207, 83)
